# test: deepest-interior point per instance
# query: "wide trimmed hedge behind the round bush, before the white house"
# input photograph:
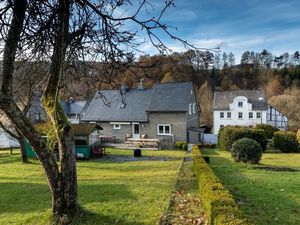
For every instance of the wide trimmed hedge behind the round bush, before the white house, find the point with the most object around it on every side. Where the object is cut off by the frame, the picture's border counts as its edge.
(228, 135)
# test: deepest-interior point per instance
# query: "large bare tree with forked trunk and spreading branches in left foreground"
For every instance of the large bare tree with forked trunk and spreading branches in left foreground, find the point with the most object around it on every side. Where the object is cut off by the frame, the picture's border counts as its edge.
(65, 34)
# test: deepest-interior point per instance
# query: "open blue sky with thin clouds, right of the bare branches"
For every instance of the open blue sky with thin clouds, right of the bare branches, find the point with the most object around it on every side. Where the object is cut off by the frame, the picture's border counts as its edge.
(234, 25)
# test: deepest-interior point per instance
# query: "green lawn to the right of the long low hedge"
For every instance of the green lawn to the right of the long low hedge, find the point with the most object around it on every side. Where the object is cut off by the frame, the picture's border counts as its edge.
(268, 194)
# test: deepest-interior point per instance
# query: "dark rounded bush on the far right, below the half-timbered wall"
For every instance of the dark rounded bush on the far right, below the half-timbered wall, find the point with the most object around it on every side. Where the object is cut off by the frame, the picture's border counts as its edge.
(286, 141)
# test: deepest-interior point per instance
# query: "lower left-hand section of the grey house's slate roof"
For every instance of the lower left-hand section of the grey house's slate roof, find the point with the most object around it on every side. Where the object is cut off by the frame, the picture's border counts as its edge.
(109, 107)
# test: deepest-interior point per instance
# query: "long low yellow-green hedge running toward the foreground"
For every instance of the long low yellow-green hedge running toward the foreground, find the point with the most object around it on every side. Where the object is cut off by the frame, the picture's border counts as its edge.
(217, 201)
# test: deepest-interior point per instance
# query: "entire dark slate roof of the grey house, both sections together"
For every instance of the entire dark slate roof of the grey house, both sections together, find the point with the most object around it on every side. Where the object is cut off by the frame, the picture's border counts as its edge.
(166, 97)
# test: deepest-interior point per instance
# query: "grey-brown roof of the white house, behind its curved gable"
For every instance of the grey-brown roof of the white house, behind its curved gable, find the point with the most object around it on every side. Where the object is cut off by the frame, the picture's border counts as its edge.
(224, 98)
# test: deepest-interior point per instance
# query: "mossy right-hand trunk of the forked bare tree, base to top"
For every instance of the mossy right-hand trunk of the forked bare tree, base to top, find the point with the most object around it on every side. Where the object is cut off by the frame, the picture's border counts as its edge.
(65, 195)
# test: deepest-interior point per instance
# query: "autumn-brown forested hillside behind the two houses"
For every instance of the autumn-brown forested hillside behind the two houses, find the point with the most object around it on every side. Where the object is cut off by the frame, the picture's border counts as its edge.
(278, 75)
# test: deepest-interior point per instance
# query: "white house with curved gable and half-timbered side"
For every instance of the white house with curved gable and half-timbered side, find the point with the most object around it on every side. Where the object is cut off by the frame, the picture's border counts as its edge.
(245, 108)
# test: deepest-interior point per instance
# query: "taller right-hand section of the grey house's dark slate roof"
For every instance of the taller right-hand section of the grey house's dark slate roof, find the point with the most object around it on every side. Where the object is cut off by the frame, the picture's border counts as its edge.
(168, 97)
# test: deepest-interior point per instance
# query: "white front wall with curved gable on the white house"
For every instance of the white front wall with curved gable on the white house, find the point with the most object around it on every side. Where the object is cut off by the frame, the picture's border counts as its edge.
(235, 109)
